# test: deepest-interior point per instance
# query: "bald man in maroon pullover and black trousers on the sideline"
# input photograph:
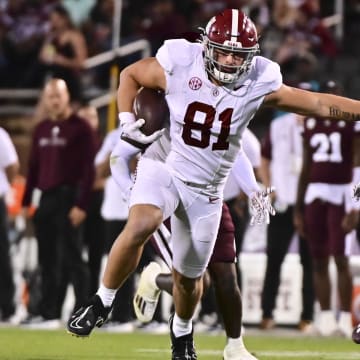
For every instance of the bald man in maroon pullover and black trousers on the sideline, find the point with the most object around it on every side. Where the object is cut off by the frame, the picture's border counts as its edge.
(61, 166)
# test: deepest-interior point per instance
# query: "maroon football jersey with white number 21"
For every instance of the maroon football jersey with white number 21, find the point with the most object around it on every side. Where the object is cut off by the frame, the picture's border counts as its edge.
(331, 147)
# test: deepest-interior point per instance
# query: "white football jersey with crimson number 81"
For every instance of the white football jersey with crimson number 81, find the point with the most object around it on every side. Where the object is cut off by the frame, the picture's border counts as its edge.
(207, 121)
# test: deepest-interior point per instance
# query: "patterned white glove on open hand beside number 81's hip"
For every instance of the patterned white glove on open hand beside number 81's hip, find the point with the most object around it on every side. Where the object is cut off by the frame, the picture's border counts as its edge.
(260, 206)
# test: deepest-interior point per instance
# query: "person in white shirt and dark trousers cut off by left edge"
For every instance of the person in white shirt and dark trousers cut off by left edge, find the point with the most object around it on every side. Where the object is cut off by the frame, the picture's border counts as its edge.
(9, 167)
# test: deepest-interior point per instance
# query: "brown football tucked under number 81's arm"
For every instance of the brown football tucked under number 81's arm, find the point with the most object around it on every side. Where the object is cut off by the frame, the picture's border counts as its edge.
(150, 105)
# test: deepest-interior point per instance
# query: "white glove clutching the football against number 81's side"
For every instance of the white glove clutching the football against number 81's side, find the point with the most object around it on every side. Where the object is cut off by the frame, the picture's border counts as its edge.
(131, 131)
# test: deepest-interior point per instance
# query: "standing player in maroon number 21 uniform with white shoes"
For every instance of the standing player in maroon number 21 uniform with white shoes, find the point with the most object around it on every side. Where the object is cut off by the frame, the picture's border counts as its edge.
(324, 213)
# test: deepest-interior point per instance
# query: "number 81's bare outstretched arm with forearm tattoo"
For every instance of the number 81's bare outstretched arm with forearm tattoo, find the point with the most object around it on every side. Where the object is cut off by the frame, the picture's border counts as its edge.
(314, 104)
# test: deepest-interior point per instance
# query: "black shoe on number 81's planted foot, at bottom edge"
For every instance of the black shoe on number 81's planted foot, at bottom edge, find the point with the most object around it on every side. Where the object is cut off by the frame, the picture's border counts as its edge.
(183, 347)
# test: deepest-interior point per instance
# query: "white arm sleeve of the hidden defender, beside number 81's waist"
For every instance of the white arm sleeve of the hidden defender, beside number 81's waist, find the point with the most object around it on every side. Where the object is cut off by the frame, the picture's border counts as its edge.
(244, 174)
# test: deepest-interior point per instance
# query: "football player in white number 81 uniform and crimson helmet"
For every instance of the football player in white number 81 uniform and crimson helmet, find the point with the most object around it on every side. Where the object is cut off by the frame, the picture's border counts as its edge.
(213, 90)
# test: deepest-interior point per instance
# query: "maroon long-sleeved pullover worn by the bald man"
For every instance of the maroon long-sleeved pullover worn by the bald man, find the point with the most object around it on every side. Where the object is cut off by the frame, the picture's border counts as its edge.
(62, 153)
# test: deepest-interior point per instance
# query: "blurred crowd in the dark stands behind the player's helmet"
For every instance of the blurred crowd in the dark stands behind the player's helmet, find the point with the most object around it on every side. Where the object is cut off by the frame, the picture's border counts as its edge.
(40, 38)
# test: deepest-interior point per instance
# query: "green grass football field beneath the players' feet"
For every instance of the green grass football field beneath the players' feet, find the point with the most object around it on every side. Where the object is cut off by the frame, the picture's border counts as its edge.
(16, 344)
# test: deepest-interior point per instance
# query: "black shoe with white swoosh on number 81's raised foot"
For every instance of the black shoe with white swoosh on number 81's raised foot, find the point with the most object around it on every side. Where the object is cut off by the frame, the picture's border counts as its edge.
(94, 313)
